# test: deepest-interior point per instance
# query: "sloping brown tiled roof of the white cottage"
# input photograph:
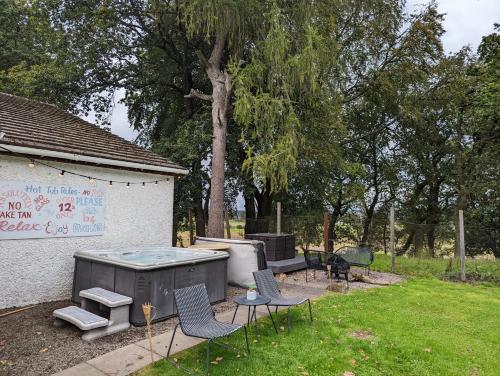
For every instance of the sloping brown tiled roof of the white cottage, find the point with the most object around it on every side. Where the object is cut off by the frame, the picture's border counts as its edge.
(40, 125)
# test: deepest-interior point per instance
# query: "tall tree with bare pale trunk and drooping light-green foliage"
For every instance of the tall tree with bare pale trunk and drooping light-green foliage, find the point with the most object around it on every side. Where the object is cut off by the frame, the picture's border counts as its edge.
(270, 52)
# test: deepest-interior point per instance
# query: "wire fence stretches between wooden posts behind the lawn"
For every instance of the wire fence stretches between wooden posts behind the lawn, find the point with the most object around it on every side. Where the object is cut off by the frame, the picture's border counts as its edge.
(428, 249)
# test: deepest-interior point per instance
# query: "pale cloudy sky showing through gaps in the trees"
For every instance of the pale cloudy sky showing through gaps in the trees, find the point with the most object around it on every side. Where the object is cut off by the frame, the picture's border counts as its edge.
(466, 21)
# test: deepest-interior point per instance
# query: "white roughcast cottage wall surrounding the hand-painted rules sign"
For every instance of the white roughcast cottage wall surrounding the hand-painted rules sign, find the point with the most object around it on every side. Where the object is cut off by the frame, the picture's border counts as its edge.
(40, 270)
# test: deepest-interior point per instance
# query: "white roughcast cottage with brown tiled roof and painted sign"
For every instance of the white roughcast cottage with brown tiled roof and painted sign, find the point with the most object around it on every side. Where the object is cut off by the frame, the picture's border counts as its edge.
(68, 185)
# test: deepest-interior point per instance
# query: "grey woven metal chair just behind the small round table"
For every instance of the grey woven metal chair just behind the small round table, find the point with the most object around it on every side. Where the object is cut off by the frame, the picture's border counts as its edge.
(267, 286)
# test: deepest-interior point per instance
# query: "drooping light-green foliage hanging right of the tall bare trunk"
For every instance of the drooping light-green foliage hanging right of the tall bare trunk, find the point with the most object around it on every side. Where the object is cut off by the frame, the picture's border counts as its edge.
(284, 100)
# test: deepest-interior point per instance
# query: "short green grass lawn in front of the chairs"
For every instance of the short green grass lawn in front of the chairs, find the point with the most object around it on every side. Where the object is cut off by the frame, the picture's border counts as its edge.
(423, 327)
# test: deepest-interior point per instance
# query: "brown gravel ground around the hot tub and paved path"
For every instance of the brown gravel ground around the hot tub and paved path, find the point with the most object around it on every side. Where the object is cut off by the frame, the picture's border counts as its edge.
(30, 345)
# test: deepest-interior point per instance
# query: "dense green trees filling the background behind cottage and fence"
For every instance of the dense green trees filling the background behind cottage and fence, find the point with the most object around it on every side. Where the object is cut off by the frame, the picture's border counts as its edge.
(344, 106)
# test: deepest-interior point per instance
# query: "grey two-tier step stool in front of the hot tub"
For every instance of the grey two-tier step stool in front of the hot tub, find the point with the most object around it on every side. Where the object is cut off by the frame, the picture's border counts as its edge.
(87, 319)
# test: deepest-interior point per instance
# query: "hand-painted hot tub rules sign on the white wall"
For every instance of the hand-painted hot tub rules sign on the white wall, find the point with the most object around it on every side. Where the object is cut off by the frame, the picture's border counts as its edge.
(32, 210)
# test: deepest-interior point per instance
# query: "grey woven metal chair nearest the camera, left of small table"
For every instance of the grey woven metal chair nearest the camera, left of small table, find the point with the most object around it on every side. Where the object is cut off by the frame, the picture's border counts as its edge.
(197, 319)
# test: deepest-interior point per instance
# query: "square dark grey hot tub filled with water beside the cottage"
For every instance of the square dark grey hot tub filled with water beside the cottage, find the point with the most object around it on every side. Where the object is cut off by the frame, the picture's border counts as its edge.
(150, 274)
